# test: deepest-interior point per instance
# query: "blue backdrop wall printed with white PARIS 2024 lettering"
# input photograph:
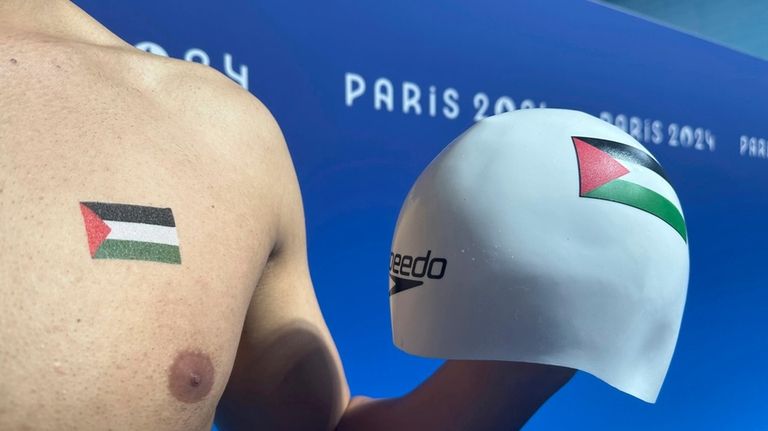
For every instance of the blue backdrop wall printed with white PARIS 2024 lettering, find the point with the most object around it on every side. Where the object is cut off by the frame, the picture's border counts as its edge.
(699, 107)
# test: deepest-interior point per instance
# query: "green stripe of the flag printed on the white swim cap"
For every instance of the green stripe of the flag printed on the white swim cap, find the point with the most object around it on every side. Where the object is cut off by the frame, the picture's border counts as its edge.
(644, 199)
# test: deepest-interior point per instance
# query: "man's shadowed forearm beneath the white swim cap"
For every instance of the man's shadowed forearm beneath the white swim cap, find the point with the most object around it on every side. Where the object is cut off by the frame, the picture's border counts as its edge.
(463, 395)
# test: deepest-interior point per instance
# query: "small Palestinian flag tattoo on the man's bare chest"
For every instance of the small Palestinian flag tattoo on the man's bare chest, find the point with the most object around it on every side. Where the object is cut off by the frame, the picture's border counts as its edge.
(131, 232)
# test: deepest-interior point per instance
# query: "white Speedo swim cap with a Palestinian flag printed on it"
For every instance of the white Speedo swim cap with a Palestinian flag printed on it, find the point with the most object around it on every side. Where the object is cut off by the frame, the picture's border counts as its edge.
(545, 236)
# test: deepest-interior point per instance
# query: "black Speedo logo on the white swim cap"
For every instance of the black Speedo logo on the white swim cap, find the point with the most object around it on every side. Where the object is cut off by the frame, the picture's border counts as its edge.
(408, 271)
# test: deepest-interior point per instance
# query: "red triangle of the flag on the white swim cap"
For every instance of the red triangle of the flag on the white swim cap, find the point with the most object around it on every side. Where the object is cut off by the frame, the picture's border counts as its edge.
(596, 167)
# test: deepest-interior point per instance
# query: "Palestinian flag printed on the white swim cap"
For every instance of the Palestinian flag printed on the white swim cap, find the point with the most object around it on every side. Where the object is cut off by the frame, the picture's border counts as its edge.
(625, 174)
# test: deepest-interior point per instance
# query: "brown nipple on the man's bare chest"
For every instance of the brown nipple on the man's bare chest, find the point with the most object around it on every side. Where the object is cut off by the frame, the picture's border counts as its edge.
(190, 377)
